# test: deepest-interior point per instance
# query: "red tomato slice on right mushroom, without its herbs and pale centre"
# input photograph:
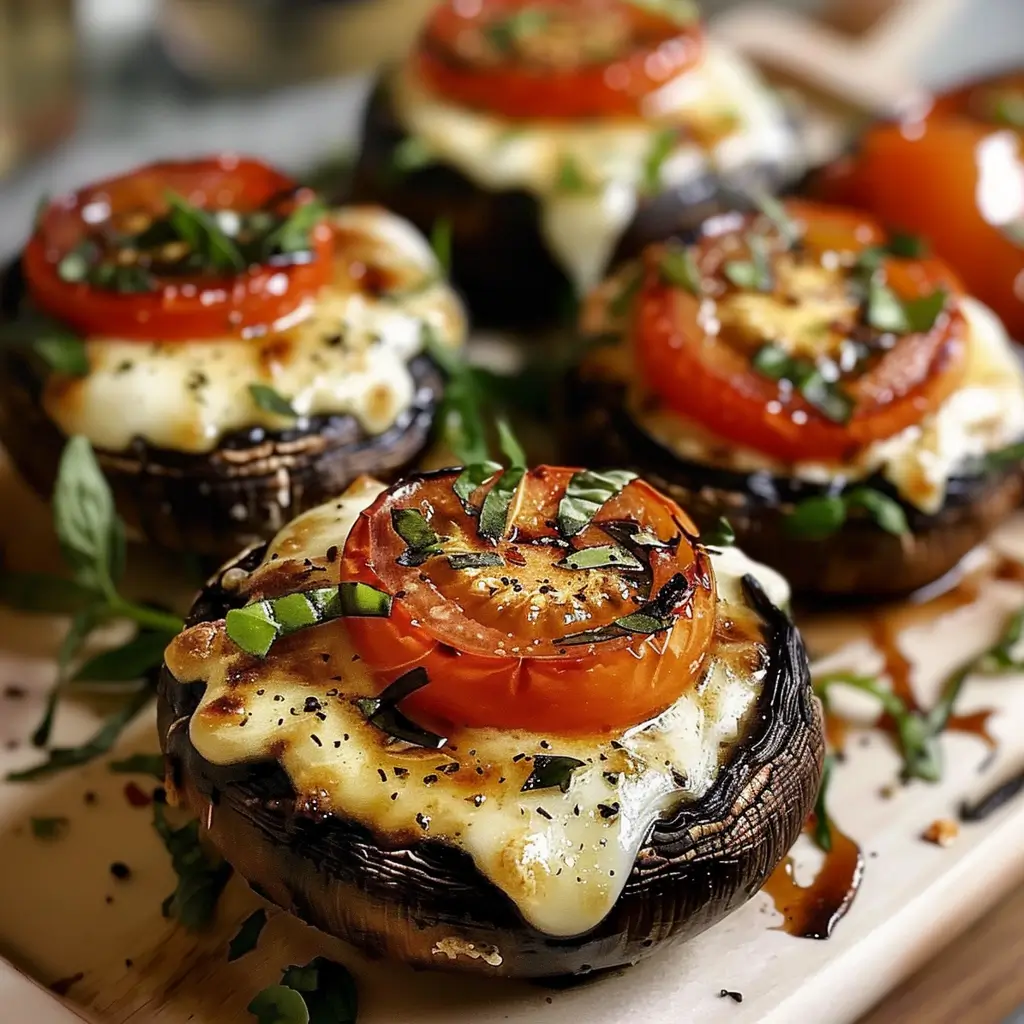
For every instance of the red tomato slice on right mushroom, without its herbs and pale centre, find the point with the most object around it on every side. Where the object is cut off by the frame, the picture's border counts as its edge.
(700, 369)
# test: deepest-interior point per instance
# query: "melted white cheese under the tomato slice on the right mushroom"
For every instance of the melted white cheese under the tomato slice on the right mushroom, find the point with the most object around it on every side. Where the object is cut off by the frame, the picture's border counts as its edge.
(986, 414)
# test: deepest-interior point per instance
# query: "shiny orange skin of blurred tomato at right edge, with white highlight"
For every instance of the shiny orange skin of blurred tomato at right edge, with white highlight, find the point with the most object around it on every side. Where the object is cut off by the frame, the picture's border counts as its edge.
(955, 183)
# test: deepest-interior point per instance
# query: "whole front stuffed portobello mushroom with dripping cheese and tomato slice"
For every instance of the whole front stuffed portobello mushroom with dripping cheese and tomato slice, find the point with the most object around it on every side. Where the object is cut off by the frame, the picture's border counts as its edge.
(518, 722)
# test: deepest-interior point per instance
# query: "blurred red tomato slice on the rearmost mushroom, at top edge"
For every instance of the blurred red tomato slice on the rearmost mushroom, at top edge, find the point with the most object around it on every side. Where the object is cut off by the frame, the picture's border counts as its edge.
(557, 59)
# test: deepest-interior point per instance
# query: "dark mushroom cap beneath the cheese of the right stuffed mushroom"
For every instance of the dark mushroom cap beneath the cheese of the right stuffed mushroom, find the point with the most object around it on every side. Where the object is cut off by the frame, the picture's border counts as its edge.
(861, 560)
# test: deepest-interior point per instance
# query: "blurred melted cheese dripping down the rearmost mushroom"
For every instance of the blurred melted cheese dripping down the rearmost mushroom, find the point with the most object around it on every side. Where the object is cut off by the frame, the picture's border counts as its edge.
(721, 102)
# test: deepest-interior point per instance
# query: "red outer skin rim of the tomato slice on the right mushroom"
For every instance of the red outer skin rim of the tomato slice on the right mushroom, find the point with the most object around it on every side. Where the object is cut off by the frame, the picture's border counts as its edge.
(701, 377)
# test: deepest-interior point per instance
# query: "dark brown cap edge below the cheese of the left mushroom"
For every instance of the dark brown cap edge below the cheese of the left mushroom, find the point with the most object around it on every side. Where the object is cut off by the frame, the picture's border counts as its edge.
(220, 501)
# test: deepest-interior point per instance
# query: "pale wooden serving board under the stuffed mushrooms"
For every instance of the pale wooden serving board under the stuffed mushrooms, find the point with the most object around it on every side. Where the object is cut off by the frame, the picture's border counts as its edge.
(63, 914)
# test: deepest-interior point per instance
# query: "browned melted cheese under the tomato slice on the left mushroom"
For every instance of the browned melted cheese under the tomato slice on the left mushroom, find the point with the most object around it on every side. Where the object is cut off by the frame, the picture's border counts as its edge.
(346, 353)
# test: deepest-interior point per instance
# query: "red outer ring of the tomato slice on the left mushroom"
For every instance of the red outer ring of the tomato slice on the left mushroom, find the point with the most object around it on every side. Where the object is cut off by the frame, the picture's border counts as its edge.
(186, 308)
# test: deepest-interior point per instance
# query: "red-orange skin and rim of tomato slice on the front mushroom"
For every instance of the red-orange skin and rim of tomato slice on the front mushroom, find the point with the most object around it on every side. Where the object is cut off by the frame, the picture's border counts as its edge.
(548, 689)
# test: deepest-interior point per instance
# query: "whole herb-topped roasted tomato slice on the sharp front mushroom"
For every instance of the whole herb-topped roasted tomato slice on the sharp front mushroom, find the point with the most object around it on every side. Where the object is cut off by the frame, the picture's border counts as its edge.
(524, 615)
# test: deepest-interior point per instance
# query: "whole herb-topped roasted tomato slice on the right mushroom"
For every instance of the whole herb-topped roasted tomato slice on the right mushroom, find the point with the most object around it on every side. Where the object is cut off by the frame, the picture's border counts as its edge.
(800, 336)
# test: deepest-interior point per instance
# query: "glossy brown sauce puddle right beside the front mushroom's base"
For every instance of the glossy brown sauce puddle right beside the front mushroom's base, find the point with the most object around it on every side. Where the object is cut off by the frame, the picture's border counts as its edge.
(813, 912)
